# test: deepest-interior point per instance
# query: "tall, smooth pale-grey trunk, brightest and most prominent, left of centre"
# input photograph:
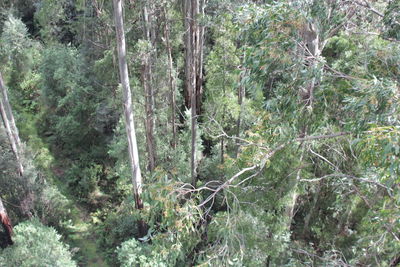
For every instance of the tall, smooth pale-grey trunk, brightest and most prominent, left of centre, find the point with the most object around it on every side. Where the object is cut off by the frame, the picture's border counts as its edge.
(127, 99)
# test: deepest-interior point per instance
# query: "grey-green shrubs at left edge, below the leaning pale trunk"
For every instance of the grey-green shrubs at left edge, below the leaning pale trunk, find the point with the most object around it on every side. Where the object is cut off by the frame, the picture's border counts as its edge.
(31, 193)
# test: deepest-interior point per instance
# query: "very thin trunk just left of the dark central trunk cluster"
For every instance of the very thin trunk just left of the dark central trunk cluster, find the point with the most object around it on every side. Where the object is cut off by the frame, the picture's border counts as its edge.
(171, 78)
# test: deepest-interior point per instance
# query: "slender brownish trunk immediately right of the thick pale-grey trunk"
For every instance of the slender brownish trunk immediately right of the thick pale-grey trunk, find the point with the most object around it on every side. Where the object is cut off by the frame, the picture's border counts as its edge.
(148, 90)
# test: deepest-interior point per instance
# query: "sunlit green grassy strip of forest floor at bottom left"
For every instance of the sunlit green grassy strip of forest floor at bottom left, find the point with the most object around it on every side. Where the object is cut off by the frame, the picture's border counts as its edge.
(82, 238)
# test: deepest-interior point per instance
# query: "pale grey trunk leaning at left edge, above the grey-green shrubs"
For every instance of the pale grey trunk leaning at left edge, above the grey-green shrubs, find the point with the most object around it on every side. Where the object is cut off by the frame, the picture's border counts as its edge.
(9, 124)
